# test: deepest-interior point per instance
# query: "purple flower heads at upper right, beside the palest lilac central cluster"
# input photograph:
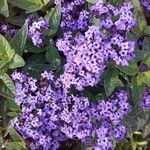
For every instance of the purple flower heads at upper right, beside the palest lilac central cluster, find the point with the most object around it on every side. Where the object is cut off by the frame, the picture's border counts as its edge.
(116, 23)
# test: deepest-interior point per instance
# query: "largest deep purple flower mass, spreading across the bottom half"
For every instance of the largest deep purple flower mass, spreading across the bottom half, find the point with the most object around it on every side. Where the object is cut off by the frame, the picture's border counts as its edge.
(49, 116)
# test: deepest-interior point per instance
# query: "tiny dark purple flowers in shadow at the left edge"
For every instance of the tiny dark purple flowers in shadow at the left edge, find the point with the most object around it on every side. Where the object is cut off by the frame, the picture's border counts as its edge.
(4, 29)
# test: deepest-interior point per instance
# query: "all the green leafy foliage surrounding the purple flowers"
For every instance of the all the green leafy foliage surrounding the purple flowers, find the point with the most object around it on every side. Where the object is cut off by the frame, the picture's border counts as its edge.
(18, 52)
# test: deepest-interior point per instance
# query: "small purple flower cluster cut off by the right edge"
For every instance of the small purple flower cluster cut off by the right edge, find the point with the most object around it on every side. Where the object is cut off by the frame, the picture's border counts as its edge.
(145, 102)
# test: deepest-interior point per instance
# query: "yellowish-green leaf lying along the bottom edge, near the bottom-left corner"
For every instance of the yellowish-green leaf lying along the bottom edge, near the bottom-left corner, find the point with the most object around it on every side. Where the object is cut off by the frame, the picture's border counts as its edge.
(15, 146)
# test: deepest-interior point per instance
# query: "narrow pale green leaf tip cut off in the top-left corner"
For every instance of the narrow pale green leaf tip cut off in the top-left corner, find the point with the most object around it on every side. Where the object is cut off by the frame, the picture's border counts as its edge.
(4, 8)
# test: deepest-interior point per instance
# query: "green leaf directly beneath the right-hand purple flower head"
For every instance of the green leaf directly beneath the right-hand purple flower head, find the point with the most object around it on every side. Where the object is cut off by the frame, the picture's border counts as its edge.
(132, 69)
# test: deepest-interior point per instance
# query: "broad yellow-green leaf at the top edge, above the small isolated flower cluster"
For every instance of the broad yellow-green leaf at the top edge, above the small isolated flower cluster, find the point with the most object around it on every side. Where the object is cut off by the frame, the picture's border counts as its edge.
(28, 5)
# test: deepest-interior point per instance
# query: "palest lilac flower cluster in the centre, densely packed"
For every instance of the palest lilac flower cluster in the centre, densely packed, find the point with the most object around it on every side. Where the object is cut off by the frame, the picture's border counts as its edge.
(86, 57)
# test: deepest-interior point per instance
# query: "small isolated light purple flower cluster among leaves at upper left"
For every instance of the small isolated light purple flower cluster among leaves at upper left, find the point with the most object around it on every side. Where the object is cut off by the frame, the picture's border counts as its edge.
(36, 29)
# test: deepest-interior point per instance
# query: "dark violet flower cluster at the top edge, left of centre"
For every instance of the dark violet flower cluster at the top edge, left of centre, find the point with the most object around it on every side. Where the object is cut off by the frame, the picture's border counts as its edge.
(74, 16)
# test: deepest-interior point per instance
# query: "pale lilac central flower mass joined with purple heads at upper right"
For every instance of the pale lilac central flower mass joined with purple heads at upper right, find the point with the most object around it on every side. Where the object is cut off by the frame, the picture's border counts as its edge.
(88, 53)
